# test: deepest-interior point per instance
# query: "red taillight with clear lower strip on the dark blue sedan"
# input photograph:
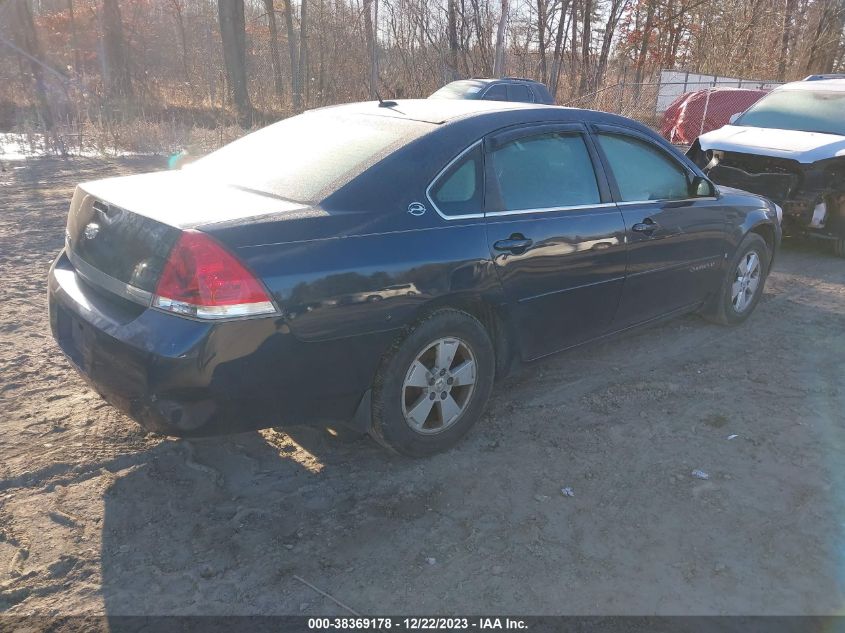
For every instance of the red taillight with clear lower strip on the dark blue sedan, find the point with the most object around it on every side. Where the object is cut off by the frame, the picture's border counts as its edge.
(204, 280)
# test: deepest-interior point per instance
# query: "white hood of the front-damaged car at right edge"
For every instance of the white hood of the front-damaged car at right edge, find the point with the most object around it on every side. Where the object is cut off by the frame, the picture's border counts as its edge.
(804, 147)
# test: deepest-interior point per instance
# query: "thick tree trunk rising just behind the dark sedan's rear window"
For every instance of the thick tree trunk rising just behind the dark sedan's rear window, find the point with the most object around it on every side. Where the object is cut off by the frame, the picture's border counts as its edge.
(233, 36)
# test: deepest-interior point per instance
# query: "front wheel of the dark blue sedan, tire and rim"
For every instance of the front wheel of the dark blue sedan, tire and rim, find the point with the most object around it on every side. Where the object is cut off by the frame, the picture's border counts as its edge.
(729, 309)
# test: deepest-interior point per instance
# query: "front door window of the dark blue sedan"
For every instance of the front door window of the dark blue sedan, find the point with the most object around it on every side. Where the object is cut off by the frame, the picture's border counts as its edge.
(643, 172)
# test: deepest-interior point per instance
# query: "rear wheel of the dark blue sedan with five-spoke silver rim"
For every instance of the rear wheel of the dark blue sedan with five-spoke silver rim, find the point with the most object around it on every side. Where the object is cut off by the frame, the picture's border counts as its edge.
(410, 374)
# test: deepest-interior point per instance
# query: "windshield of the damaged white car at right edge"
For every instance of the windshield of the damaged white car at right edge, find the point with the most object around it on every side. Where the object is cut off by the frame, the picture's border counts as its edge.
(804, 110)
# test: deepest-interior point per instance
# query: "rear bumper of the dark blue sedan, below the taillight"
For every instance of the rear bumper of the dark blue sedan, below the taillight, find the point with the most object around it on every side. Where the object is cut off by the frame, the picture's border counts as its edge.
(179, 376)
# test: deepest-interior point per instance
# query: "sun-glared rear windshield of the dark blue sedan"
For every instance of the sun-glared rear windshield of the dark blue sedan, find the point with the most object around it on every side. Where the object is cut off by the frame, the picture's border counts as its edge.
(307, 157)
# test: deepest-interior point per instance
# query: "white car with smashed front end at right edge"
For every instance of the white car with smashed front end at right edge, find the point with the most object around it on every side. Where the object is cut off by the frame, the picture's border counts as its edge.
(789, 147)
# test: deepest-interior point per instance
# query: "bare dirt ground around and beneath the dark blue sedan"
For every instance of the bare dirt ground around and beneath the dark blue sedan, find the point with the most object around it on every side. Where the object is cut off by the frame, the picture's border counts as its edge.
(96, 516)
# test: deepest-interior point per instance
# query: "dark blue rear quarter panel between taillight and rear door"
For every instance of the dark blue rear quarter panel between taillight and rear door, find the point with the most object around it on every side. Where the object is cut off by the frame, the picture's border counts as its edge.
(338, 287)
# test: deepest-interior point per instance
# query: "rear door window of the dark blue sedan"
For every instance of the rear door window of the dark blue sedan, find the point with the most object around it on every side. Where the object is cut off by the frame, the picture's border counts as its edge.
(544, 172)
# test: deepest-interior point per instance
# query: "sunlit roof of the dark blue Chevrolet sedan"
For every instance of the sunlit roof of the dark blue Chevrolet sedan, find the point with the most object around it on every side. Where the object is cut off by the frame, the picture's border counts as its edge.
(437, 111)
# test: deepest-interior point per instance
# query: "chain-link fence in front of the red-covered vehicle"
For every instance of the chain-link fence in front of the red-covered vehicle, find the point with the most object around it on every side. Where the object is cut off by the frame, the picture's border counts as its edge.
(679, 110)
